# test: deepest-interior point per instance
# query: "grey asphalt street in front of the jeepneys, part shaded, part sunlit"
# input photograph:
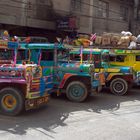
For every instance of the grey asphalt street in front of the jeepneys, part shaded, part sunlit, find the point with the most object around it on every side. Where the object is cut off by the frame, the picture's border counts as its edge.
(102, 117)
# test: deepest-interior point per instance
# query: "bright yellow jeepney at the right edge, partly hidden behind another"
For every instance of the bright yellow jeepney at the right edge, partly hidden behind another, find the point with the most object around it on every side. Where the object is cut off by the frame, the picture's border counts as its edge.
(129, 58)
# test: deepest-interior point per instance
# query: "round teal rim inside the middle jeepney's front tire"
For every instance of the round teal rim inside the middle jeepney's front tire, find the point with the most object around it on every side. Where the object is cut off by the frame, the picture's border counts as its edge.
(76, 91)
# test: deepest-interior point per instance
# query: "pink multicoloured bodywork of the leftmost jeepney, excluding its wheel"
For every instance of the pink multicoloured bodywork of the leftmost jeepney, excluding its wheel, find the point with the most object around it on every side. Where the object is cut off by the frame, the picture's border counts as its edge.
(28, 77)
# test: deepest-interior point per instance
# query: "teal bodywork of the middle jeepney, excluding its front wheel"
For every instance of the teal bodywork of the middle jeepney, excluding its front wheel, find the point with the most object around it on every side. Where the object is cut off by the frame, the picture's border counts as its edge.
(57, 70)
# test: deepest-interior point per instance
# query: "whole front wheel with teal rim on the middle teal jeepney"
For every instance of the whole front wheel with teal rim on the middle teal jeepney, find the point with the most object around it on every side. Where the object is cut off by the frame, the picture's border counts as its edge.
(76, 91)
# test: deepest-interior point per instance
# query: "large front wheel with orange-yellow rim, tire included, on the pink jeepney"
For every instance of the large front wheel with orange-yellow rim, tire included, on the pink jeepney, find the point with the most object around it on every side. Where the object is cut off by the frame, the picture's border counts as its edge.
(11, 101)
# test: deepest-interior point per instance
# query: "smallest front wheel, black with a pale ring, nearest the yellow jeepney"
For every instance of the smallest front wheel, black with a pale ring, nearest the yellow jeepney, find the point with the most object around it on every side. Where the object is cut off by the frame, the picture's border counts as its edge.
(119, 87)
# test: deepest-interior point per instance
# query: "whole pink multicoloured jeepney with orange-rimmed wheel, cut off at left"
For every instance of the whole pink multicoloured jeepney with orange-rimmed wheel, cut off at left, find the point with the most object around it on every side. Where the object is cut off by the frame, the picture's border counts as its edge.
(21, 86)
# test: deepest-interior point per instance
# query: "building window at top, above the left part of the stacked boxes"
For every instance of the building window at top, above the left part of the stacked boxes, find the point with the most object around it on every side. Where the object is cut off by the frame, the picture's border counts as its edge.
(103, 10)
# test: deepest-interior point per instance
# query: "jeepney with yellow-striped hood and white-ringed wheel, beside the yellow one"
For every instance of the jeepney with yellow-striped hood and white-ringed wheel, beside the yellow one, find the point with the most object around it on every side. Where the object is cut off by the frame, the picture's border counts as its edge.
(118, 79)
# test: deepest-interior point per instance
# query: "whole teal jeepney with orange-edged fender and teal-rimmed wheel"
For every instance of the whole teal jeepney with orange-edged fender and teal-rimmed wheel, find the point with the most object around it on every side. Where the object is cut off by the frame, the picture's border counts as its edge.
(76, 80)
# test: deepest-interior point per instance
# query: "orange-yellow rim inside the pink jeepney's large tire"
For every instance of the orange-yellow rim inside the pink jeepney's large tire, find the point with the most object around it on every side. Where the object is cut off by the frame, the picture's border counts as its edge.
(9, 102)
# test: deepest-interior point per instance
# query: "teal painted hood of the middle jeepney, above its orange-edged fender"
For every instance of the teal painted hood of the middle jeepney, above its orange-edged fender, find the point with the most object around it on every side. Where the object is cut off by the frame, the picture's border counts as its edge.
(74, 67)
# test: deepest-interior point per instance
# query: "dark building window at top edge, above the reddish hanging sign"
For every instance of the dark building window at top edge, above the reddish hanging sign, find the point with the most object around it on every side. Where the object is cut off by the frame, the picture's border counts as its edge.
(76, 5)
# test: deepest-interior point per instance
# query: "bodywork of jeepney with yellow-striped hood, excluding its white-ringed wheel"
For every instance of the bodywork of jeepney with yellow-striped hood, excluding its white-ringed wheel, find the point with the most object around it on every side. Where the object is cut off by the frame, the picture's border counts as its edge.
(103, 65)
